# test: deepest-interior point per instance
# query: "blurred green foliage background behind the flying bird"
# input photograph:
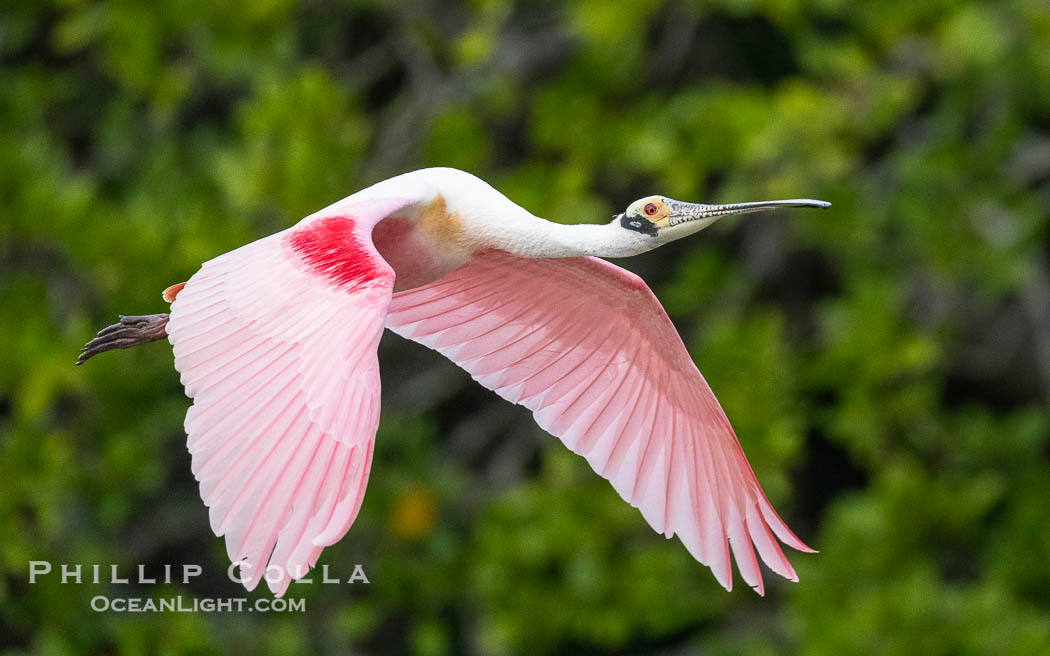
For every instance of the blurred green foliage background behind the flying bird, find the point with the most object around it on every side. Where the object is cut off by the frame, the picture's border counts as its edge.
(887, 364)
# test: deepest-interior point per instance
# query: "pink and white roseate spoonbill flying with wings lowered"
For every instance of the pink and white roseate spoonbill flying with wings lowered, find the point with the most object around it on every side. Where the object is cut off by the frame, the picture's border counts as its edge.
(277, 346)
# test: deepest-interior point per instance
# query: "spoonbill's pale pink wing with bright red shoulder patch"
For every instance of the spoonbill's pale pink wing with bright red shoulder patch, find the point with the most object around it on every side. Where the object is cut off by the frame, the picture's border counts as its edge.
(277, 345)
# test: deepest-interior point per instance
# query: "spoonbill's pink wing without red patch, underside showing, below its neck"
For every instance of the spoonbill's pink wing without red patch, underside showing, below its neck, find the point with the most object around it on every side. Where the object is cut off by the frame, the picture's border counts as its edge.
(590, 350)
